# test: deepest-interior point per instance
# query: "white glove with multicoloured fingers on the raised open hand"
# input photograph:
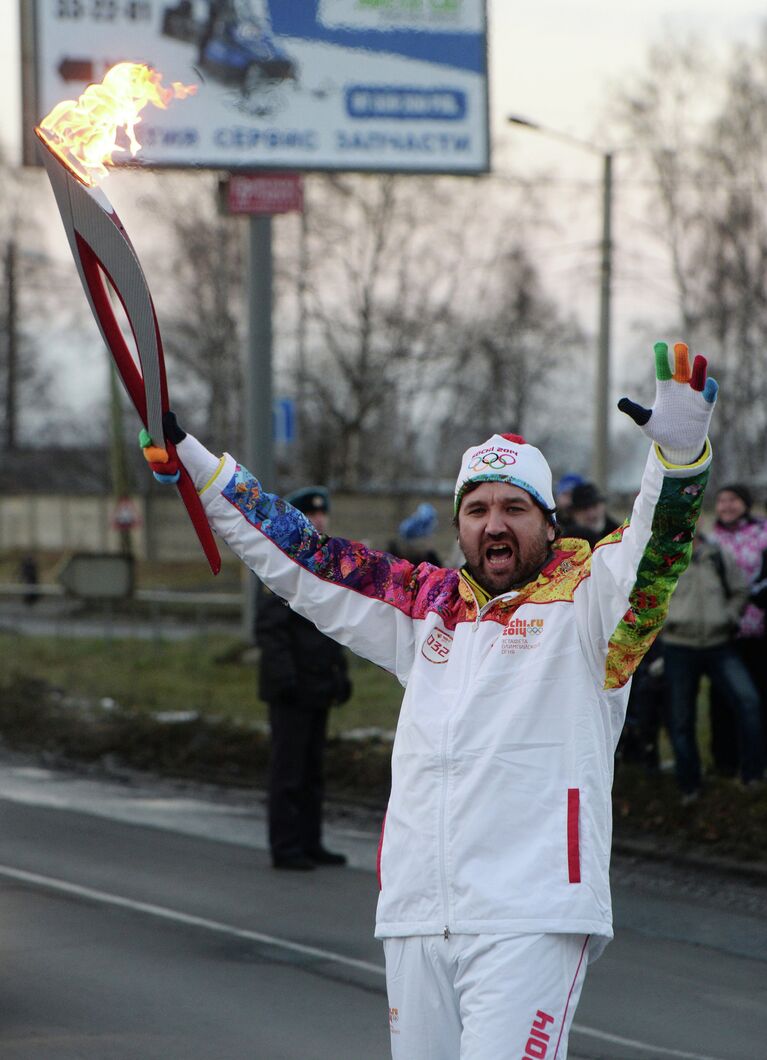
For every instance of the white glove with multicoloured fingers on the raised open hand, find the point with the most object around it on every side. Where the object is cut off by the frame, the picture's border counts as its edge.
(684, 403)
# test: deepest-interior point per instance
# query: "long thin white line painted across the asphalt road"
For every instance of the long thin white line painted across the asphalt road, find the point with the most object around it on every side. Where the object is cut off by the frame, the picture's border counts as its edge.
(163, 913)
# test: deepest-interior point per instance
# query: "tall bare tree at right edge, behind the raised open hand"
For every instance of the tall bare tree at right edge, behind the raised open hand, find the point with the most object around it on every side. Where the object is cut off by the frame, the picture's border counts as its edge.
(705, 138)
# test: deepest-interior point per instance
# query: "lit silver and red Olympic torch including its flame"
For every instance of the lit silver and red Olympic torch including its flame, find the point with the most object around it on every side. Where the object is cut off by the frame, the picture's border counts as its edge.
(77, 144)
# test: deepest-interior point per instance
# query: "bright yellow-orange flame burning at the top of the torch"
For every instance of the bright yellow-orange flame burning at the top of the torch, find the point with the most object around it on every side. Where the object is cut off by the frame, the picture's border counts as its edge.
(84, 133)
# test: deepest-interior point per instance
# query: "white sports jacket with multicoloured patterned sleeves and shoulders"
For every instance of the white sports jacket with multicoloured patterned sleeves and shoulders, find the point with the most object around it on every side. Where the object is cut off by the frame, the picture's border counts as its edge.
(500, 819)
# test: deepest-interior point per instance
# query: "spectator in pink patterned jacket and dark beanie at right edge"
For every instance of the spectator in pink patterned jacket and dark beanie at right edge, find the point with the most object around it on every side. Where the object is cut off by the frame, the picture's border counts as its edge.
(745, 536)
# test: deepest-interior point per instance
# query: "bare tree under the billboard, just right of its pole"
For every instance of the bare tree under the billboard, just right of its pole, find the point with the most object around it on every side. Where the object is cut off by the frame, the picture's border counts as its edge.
(373, 322)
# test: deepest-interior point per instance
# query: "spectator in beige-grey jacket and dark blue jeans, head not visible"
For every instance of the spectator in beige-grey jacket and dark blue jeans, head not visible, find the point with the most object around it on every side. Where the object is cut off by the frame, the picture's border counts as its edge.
(700, 639)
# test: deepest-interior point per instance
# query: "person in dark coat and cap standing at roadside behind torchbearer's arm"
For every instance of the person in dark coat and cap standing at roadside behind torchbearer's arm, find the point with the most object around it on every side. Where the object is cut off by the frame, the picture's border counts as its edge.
(304, 674)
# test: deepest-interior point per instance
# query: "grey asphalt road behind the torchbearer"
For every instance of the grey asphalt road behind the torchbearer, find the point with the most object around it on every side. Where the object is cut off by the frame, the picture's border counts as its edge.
(141, 921)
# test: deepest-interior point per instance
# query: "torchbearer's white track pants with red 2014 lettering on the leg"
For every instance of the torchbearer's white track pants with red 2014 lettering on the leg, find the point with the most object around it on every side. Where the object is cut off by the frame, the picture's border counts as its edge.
(484, 997)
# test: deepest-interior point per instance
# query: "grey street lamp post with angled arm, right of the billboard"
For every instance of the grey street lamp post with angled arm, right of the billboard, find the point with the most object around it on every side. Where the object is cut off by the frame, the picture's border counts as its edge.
(602, 394)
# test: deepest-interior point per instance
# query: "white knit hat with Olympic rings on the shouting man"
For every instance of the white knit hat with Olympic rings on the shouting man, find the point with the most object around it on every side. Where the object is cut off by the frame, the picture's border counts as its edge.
(507, 458)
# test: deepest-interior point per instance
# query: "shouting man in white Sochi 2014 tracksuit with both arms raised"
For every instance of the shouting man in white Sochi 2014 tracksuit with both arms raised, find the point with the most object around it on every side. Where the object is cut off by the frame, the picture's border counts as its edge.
(495, 854)
